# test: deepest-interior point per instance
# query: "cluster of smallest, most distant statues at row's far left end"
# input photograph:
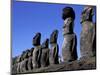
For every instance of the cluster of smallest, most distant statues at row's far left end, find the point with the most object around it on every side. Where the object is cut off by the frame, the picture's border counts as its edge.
(23, 62)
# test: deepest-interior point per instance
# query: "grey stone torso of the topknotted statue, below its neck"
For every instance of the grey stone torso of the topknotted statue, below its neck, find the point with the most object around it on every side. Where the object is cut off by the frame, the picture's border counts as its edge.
(69, 48)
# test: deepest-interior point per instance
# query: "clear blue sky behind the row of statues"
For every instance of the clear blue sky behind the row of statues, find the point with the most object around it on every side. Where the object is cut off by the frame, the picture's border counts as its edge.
(29, 18)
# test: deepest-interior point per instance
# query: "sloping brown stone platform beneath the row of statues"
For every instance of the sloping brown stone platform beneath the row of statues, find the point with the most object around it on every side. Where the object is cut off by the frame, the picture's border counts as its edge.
(82, 64)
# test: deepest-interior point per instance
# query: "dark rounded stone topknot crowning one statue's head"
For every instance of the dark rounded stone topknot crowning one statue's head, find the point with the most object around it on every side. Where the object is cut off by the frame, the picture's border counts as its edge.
(68, 12)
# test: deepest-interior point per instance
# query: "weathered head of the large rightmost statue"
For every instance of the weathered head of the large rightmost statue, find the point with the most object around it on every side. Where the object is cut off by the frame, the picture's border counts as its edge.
(87, 14)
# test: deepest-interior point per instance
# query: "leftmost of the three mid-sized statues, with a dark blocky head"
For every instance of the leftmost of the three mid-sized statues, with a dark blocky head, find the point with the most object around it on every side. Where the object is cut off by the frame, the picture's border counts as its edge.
(37, 51)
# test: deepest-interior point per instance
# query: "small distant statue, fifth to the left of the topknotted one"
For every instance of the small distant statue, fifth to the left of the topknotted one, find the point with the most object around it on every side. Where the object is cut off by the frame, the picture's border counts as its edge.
(24, 61)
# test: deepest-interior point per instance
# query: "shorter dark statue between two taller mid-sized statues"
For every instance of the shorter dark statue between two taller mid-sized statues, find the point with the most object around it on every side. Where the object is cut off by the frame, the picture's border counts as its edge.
(45, 54)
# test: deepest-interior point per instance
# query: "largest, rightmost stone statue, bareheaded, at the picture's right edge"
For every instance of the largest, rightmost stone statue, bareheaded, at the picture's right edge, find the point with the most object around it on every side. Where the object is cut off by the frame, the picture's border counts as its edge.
(88, 34)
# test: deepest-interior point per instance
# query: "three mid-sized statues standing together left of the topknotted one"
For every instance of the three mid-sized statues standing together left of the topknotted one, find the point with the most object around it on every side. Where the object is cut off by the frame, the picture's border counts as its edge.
(42, 55)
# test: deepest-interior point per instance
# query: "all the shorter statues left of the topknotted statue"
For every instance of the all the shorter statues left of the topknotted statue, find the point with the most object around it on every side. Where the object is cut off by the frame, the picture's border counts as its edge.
(39, 56)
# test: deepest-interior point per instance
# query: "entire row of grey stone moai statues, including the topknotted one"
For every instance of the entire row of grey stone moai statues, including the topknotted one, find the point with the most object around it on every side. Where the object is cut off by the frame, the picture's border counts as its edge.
(42, 56)
